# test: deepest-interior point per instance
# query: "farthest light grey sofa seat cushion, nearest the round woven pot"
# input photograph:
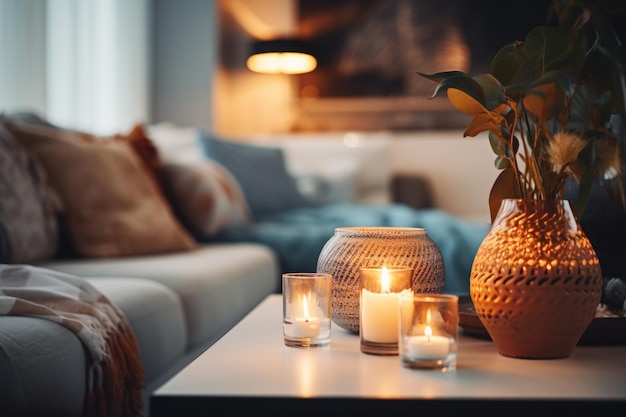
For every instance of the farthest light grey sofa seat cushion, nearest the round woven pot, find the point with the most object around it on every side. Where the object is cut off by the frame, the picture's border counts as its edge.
(217, 283)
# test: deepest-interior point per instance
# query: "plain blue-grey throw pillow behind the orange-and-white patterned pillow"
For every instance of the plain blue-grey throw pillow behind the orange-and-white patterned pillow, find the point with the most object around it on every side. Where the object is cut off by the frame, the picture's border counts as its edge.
(260, 171)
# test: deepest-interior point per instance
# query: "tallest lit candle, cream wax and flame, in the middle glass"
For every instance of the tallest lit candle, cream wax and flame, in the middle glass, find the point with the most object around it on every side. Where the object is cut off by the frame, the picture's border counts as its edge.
(380, 313)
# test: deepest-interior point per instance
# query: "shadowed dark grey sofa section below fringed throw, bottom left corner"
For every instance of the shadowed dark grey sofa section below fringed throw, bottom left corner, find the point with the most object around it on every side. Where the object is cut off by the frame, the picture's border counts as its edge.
(43, 367)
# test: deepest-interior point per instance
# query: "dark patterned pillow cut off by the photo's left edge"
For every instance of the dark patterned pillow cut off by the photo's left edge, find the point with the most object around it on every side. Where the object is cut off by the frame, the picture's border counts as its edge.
(28, 222)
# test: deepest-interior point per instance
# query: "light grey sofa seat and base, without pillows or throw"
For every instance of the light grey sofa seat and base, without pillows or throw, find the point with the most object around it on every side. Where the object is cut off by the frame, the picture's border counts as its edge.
(177, 305)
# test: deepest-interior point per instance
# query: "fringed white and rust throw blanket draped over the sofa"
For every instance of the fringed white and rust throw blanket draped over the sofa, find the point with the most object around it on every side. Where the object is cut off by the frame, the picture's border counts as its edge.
(116, 373)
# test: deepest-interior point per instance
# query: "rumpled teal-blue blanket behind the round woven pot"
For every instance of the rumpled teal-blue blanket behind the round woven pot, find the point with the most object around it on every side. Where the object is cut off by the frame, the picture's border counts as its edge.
(298, 235)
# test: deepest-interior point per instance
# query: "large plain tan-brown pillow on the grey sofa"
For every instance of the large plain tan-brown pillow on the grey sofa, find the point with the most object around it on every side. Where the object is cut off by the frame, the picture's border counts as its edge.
(112, 207)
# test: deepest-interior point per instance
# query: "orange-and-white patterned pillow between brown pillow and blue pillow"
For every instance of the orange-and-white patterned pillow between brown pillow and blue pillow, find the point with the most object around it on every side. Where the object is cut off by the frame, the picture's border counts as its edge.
(204, 195)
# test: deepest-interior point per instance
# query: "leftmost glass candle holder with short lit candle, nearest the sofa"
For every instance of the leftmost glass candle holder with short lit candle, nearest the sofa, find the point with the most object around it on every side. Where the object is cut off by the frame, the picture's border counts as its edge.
(306, 309)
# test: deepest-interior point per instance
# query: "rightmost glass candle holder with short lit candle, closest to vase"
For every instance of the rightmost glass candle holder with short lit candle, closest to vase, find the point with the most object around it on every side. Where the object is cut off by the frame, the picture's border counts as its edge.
(429, 331)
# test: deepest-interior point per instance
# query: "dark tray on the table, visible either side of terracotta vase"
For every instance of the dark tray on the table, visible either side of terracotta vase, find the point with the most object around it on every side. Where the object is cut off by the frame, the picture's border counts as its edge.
(603, 330)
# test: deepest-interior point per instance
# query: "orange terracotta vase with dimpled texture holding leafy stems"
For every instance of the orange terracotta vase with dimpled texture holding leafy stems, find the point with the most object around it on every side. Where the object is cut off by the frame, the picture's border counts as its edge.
(536, 281)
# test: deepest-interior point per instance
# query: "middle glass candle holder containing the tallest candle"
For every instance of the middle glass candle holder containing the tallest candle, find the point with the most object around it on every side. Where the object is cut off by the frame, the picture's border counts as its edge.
(379, 307)
